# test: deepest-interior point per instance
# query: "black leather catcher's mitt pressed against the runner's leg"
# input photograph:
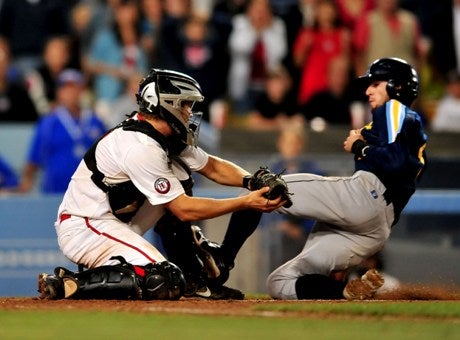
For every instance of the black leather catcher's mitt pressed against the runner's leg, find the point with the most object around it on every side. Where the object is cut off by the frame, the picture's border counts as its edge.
(266, 178)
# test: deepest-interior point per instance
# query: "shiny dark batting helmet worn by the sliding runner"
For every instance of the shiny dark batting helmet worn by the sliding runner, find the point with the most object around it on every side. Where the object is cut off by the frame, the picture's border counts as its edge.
(402, 78)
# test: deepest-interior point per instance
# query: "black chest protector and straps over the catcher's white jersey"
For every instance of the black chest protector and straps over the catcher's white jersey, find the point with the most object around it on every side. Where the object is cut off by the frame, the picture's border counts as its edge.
(124, 198)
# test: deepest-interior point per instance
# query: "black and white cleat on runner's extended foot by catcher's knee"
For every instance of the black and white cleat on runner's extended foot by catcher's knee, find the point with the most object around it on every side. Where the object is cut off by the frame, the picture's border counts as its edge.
(210, 254)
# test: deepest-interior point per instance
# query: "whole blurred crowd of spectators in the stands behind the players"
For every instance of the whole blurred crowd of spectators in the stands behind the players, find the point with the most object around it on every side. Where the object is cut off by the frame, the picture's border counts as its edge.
(262, 64)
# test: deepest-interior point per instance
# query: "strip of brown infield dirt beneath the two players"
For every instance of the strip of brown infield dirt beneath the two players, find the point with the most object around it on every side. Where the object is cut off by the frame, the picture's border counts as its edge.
(203, 307)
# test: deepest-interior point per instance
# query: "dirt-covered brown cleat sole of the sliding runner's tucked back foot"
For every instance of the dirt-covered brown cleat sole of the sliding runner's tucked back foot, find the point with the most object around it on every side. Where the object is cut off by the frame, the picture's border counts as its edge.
(364, 288)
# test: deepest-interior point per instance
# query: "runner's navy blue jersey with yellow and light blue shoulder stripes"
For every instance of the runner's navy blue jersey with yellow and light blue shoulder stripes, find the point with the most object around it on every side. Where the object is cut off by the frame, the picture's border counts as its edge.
(396, 152)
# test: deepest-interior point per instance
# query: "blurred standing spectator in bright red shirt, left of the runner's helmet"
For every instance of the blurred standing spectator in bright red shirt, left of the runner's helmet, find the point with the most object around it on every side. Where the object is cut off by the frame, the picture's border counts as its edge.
(315, 47)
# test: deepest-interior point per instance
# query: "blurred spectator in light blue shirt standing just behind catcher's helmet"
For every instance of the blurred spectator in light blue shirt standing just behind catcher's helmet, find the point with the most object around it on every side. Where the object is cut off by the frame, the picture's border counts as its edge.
(116, 53)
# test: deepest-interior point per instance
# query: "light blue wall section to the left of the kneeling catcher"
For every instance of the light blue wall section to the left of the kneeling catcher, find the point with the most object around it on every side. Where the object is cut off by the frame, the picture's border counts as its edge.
(28, 243)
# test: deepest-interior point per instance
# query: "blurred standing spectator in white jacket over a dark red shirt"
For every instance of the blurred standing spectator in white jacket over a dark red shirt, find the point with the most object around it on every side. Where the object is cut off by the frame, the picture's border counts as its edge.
(257, 44)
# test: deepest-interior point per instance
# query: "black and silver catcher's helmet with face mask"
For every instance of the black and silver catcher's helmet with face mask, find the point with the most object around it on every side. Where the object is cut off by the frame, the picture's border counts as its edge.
(162, 93)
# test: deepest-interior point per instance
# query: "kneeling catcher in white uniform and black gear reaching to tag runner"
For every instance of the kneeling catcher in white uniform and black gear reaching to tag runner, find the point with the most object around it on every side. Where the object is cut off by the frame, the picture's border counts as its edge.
(138, 176)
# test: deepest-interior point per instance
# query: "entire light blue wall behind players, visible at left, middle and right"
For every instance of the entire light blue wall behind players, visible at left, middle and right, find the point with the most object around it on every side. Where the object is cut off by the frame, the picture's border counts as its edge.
(28, 244)
